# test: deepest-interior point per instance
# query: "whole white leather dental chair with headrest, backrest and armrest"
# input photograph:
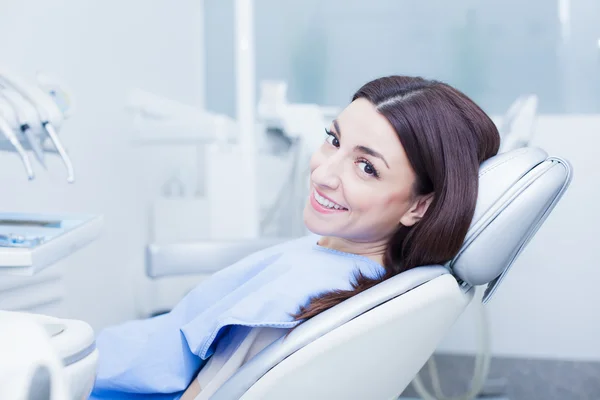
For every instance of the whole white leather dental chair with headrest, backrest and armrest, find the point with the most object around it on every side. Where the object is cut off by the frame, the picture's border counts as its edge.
(373, 345)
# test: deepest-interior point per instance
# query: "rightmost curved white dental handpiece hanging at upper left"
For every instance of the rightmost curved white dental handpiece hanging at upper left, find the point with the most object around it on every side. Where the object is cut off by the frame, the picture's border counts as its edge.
(48, 113)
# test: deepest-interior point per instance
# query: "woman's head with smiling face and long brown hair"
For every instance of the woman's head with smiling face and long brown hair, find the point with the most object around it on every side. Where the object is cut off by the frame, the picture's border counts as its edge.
(396, 178)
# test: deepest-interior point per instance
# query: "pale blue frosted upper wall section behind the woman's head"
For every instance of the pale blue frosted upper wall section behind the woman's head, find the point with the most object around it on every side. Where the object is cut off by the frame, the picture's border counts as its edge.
(493, 50)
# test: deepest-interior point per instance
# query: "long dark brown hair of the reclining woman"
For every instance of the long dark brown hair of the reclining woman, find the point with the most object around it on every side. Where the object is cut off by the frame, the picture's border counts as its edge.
(446, 136)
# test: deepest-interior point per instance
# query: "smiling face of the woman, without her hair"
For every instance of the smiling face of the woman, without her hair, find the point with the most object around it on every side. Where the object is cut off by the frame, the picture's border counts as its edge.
(361, 180)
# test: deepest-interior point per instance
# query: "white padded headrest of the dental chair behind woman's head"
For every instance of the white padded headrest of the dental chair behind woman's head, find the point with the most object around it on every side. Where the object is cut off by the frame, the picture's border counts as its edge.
(517, 191)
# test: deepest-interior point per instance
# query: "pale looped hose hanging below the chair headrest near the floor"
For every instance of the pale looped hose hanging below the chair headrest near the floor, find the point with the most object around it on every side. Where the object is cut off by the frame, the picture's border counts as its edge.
(481, 370)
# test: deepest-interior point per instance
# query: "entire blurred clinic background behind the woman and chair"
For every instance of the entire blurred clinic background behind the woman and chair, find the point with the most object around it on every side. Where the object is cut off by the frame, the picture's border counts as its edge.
(154, 102)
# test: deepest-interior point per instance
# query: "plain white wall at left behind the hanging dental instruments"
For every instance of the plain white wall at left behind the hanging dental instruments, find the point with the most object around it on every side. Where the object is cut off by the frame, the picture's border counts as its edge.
(101, 49)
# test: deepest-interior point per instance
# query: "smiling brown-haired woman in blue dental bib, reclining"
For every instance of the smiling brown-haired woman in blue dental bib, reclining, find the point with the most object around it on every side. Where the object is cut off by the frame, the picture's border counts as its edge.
(393, 186)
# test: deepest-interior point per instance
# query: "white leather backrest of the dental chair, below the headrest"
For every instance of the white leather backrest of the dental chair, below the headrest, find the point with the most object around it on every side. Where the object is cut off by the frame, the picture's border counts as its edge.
(373, 356)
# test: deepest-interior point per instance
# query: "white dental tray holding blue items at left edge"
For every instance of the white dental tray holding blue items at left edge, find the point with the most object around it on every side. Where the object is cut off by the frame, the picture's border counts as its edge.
(32, 242)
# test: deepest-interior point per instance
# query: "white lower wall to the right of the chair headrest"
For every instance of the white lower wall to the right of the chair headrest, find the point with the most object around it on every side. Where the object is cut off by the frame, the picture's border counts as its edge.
(547, 307)
